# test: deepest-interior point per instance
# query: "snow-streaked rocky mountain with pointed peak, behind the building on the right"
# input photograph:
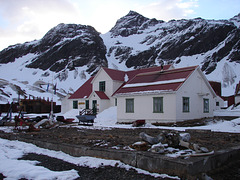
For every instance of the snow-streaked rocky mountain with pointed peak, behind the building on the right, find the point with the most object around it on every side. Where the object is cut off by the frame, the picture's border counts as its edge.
(167, 42)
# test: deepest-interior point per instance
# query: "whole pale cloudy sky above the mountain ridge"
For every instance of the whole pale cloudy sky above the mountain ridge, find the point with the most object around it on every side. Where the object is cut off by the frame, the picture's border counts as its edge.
(26, 20)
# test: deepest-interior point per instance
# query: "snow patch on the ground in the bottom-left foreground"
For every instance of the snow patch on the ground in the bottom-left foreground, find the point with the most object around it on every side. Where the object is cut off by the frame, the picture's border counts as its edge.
(13, 168)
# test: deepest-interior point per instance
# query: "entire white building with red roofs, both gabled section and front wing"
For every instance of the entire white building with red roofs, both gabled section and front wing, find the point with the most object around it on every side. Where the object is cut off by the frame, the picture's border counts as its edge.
(157, 94)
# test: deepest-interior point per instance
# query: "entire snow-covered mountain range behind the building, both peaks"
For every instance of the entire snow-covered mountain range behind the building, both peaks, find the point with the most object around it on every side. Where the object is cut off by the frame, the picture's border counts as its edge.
(70, 53)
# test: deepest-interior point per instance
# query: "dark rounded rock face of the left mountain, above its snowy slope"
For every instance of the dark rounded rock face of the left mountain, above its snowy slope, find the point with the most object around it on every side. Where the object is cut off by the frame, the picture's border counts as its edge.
(65, 46)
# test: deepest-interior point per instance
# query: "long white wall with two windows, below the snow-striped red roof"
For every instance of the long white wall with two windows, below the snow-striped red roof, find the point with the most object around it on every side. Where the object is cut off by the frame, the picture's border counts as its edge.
(143, 109)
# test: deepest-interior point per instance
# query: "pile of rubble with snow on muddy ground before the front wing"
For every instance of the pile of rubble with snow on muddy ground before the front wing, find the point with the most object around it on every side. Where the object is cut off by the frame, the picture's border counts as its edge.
(173, 144)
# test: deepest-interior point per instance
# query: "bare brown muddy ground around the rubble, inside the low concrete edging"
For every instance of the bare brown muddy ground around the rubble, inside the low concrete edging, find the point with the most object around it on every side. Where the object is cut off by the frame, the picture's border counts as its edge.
(122, 138)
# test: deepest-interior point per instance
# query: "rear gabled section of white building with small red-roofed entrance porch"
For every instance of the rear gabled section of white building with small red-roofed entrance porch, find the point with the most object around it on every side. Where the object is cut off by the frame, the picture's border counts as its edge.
(97, 92)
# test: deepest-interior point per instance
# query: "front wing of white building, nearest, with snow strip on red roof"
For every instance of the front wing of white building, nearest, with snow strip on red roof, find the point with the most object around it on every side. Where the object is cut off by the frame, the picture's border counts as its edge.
(166, 96)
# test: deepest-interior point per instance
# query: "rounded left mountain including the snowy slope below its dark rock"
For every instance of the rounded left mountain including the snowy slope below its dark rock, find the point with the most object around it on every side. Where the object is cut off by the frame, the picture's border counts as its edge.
(66, 55)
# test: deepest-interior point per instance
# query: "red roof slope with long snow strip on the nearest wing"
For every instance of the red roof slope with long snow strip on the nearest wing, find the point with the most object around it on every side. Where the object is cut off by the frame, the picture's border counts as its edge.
(169, 80)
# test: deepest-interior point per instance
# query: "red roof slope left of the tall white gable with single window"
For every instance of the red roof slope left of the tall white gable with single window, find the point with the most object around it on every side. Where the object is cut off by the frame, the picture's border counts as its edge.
(84, 91)
